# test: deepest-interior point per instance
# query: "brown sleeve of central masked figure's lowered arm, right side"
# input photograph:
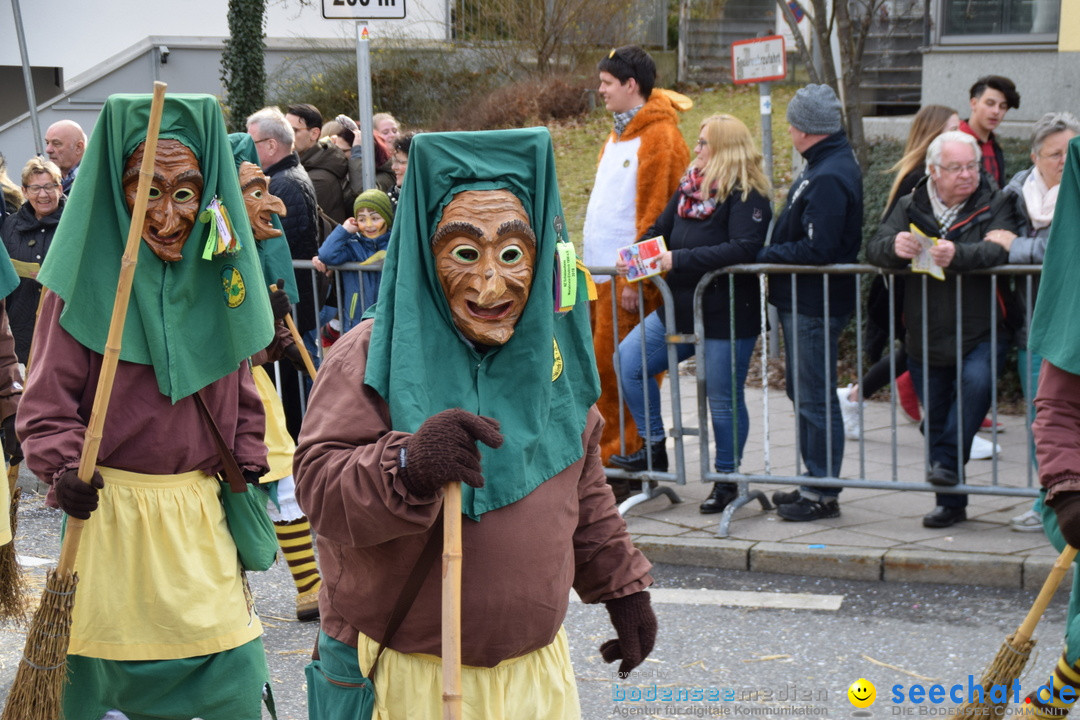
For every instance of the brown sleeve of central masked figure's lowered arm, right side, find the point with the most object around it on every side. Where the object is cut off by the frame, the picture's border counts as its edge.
(607, 564)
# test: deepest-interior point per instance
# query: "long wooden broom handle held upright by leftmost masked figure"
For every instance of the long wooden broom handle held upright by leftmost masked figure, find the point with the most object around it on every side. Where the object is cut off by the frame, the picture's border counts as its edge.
(92, 441)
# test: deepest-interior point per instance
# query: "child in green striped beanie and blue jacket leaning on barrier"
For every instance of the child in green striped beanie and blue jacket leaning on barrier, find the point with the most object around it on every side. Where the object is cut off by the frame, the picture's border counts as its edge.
(360, 239)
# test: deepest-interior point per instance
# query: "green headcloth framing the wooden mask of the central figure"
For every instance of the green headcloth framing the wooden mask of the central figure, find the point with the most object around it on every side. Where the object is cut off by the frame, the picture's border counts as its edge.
(421, 364)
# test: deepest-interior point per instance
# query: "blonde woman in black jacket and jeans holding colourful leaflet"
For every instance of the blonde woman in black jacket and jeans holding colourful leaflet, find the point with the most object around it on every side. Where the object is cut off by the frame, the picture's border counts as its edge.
(719, 216)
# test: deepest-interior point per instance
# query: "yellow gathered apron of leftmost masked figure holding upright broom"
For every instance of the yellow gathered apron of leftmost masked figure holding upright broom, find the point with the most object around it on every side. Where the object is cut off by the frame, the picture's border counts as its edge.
(159, 578)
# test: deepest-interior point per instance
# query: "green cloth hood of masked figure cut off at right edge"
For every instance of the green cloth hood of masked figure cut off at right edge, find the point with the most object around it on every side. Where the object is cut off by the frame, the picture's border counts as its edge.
(1055, 333)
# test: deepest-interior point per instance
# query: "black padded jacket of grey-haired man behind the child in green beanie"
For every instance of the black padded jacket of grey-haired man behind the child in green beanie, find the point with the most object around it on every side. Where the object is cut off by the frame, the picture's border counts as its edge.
(291, 183)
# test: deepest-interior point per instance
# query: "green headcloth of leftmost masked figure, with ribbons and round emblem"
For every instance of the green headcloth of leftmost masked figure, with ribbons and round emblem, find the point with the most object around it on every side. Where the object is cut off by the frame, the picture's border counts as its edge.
(179, 320)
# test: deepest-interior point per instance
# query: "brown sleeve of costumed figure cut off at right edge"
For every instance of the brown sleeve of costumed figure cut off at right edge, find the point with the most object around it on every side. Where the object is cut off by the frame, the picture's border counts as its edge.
(1057, 430)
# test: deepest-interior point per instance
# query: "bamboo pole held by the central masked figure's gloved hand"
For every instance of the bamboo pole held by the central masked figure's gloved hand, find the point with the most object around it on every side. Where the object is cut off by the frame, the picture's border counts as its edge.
(452, 602)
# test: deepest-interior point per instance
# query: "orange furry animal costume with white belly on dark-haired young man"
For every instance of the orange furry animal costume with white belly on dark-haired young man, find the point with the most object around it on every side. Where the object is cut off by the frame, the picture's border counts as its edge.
(649, 159)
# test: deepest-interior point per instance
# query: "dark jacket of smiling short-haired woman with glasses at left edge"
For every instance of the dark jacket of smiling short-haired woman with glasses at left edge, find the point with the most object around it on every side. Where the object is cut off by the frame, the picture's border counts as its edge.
(28, 240)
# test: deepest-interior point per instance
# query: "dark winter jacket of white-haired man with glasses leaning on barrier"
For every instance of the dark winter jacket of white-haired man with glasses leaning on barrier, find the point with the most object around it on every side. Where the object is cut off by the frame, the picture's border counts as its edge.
(987, 210)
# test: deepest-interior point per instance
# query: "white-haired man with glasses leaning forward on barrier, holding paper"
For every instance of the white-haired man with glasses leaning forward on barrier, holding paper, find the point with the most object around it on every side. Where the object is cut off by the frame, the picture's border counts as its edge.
(957, 209)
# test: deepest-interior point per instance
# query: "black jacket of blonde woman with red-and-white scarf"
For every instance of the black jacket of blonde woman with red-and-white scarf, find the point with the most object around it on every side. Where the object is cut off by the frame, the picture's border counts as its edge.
(733, 235)
